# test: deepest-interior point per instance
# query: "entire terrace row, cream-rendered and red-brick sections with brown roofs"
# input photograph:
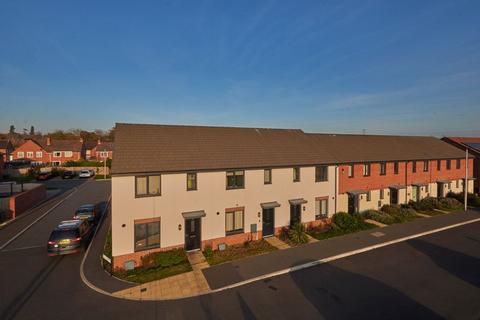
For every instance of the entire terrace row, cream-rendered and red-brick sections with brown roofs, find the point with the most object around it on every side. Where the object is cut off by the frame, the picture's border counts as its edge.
(190, 186)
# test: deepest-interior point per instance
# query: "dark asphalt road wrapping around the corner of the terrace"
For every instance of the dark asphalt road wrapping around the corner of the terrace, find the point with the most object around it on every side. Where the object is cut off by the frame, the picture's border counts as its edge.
(431, 277)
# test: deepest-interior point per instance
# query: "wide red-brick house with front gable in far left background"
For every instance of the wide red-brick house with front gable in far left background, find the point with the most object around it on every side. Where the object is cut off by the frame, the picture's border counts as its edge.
(47, 150)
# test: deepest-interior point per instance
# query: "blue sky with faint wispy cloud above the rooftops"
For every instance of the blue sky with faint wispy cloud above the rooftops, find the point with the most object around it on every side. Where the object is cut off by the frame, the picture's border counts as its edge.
(400, 67)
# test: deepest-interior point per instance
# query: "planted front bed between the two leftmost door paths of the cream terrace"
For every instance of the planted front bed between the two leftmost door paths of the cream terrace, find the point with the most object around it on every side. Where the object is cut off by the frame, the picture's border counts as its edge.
(235, 252)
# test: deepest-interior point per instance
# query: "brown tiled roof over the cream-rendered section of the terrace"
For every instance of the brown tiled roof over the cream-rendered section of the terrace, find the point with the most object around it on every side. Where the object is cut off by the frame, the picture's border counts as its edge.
(170, 148)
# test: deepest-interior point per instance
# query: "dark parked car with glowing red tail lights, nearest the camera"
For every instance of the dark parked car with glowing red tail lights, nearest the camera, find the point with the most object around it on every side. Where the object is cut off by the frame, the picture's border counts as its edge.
(69, 237)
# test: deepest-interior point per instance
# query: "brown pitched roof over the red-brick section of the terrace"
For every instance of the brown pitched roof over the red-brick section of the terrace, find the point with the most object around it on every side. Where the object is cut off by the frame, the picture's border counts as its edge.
(364, 148)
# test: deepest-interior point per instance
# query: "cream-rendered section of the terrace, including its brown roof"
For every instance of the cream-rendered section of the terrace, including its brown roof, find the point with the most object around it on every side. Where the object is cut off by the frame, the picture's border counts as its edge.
(187, 186)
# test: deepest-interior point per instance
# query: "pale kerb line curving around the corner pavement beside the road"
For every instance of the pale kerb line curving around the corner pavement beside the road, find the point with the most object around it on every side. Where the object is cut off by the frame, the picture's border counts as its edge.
(280, 272)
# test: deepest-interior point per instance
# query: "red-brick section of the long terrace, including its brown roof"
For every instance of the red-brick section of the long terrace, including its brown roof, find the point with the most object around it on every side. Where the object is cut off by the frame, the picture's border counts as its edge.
(376, 170)
